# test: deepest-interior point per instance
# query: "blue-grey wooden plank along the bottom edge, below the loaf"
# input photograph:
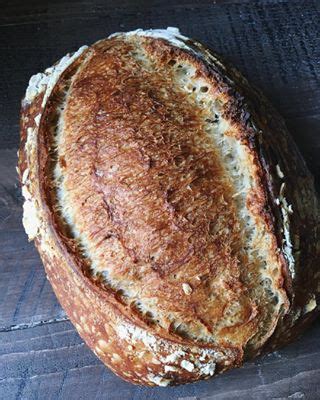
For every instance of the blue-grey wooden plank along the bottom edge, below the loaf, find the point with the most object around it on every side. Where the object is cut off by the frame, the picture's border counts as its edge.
(51, 360)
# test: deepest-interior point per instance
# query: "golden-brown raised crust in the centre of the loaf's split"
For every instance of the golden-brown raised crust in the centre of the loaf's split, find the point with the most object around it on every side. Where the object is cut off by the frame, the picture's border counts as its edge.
(164, 224)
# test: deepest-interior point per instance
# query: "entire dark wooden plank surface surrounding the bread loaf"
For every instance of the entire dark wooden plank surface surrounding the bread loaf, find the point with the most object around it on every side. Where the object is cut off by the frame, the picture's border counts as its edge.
(276, 44)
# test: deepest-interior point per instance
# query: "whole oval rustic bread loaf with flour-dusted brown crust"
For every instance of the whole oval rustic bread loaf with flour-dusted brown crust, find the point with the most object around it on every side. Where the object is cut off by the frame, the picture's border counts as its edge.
(176, 220)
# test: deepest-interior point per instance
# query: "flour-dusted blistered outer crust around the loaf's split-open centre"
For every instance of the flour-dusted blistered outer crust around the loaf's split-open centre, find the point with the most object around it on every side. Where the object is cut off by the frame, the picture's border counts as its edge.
(168, 359)
